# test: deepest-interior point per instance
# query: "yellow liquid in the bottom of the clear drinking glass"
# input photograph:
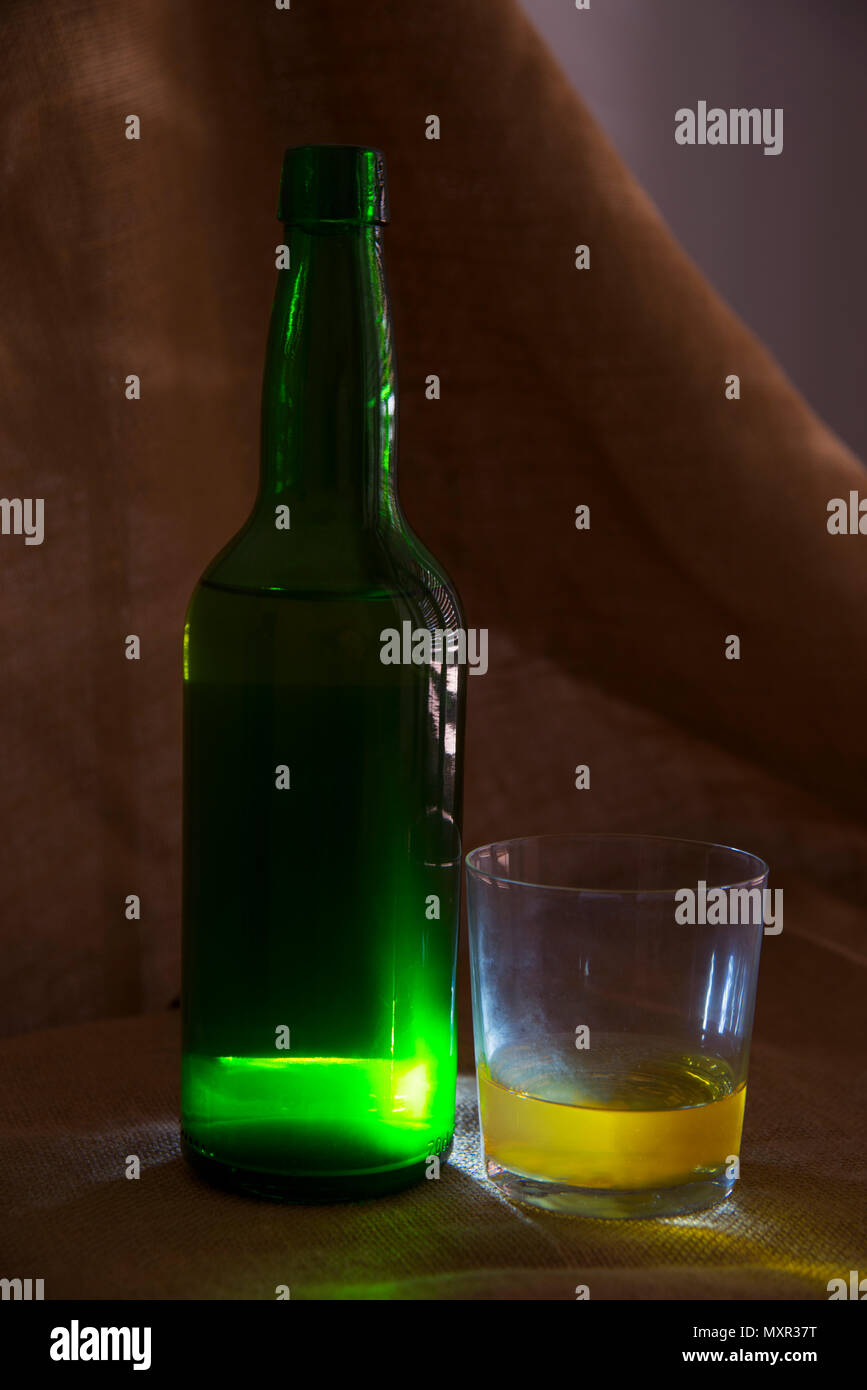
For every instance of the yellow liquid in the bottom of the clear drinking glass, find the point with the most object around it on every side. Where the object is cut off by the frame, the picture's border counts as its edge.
(659, 1122)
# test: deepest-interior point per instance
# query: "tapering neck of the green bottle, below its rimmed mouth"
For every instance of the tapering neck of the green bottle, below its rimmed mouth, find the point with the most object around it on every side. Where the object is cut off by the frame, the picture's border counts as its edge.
(329, 423)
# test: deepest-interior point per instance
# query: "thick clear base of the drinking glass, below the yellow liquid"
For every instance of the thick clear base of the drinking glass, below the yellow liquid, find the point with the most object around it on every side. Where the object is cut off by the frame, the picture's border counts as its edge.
(612, 1204)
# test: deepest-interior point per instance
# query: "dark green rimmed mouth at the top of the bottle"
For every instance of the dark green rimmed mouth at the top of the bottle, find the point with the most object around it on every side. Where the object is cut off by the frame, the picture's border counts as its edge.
(334, 184)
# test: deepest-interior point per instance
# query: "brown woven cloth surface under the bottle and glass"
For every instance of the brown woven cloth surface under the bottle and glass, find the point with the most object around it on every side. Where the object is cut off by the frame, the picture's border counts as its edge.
(80, 1102)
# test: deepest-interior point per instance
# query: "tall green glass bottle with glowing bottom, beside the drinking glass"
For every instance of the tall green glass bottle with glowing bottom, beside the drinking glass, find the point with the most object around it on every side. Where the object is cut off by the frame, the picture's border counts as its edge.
(323, 783)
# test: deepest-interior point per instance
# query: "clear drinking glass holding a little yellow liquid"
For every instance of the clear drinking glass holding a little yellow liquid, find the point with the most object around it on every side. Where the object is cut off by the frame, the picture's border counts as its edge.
(613, 992)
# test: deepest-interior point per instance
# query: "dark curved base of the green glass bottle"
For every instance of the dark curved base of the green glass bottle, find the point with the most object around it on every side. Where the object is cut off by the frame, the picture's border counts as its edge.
(305, 1189)
